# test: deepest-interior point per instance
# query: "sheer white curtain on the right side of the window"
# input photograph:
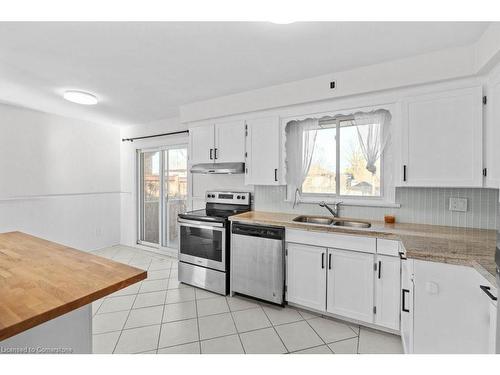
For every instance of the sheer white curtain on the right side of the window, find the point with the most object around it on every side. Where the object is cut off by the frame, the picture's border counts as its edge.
(373, 134)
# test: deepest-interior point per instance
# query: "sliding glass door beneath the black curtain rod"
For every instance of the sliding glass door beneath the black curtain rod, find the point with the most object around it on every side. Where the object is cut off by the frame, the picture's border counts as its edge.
(162, 194)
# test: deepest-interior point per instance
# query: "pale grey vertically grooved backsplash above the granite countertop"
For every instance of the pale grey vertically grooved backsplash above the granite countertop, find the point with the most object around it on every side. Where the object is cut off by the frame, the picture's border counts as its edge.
(418, 205)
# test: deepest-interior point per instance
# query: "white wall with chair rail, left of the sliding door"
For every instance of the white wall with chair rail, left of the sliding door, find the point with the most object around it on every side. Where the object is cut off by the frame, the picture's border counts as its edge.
(60, 178)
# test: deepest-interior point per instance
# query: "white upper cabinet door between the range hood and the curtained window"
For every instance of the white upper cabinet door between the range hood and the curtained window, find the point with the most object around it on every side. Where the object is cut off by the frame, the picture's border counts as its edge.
(263, 151)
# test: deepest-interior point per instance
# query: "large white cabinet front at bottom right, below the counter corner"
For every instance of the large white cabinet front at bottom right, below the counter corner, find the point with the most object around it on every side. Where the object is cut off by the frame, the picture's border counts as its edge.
(451, 312)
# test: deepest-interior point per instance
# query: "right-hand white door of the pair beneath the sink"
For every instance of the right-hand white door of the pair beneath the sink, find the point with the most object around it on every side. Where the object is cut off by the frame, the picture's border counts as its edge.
(350, 284)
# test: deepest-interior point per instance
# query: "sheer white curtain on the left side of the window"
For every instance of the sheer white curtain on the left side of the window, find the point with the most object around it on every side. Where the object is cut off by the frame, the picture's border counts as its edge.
(300, 138)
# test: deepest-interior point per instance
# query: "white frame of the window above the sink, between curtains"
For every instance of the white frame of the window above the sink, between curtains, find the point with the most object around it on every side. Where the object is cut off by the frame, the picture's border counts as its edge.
(318, 197)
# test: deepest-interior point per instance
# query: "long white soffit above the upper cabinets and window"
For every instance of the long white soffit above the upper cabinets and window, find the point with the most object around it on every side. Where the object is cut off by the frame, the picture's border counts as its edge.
(444, 65)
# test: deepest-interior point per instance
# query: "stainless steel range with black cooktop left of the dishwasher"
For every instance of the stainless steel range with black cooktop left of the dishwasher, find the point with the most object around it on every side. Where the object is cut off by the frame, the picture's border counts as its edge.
(204, 241)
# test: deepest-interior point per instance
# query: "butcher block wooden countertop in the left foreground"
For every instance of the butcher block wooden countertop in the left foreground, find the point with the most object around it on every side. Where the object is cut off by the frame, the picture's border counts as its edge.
(41, 280)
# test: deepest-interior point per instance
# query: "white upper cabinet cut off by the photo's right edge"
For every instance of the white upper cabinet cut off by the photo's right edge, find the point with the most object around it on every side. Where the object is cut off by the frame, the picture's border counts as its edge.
(492, 136)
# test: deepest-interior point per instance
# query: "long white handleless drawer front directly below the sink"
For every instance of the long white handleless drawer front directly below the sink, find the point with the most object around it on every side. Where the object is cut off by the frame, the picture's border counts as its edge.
(332, 240)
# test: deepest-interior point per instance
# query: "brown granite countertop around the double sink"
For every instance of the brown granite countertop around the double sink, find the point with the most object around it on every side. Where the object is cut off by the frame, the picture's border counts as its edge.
(454, 245)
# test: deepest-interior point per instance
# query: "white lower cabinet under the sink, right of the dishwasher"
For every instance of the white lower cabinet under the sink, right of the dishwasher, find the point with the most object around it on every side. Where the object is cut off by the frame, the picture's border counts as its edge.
(343, 275)
